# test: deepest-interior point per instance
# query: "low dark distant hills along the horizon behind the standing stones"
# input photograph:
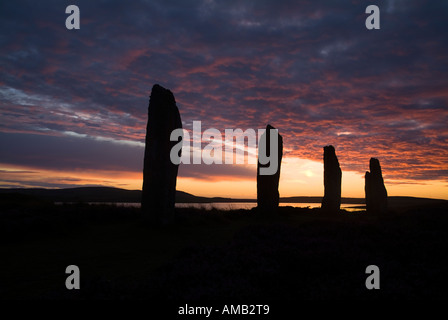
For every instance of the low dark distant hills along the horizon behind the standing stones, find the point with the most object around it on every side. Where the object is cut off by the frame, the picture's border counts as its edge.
(109, 194)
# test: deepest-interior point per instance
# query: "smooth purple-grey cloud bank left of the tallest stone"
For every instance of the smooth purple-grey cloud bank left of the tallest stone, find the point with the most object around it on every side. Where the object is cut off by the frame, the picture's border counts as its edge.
(69, 153)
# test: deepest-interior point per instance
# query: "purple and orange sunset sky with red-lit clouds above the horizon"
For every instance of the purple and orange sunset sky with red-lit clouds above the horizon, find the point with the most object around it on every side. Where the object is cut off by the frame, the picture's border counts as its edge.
(74, 103)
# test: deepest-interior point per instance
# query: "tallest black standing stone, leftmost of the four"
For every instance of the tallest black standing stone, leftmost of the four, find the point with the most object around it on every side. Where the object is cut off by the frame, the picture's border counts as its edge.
(159, 173)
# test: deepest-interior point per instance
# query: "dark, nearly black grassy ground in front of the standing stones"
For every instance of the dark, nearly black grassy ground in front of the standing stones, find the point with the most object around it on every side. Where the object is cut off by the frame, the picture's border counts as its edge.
(220, 255)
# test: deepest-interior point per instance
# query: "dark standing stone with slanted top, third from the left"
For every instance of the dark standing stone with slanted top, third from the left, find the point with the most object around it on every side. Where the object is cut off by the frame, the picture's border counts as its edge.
(332, 180)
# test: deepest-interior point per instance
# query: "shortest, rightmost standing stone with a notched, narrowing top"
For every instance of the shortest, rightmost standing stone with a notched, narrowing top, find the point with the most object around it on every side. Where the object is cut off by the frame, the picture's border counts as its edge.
(376, 193)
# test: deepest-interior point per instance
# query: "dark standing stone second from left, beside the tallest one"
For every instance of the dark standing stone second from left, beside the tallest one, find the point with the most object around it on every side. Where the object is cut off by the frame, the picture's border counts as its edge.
(267, 185)
